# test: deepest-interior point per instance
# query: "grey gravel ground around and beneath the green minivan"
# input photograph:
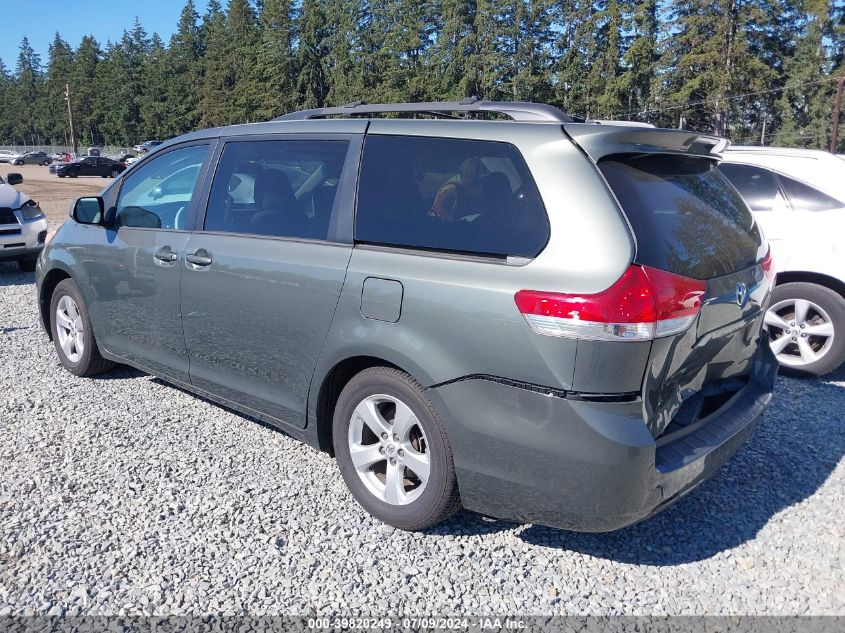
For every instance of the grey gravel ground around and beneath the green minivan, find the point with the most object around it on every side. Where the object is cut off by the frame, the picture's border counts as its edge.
(124, 495)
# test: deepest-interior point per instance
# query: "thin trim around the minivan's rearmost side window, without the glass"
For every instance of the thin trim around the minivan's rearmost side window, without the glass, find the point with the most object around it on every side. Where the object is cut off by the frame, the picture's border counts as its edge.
(445, 253)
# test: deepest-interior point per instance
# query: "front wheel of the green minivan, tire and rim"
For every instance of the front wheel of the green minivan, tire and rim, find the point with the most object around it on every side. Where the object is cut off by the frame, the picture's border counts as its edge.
(73, 335)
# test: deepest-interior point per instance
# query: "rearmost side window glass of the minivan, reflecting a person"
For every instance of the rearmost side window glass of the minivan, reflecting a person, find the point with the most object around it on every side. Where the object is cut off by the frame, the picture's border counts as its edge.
(449, 194)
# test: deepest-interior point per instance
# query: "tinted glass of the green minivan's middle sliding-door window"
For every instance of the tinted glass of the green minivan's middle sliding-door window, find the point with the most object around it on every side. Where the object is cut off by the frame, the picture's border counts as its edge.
(276, 188)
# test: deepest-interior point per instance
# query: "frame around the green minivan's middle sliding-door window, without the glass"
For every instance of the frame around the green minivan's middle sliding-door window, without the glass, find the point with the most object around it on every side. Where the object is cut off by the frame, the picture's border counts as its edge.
(341, 223)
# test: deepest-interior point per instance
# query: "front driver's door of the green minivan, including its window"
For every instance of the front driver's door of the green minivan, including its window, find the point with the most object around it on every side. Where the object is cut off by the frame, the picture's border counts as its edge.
(135, 265)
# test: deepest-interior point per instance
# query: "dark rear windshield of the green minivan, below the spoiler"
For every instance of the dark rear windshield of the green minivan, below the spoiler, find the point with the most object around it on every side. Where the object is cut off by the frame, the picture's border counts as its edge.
(687, 218)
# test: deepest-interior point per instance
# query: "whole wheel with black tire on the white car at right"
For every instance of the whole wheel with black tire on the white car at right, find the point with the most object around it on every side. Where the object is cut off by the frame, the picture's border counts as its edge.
(821, 348)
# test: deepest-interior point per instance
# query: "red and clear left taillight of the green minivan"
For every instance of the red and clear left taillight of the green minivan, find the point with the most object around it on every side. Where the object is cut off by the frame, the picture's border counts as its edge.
(645, 303)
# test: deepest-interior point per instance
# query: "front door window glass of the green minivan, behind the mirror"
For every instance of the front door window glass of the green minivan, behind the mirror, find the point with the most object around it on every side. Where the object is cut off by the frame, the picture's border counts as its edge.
(158, 193)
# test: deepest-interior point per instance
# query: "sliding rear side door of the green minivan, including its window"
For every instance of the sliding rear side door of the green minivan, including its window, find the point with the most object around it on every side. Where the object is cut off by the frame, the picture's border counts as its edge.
(261, 280)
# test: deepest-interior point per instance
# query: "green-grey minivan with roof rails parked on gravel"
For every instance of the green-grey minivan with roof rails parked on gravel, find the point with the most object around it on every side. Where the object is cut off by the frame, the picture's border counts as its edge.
(460, 311)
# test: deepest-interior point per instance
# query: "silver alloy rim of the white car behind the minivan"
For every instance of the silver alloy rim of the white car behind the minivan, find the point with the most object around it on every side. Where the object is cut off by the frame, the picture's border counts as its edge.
(801, 332)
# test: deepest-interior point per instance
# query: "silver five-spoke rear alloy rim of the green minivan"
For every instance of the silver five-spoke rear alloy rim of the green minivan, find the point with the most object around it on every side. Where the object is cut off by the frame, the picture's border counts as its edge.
(389, 449)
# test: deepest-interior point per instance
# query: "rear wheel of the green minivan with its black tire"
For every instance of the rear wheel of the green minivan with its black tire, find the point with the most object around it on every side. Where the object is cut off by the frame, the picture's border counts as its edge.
(423, 505)
